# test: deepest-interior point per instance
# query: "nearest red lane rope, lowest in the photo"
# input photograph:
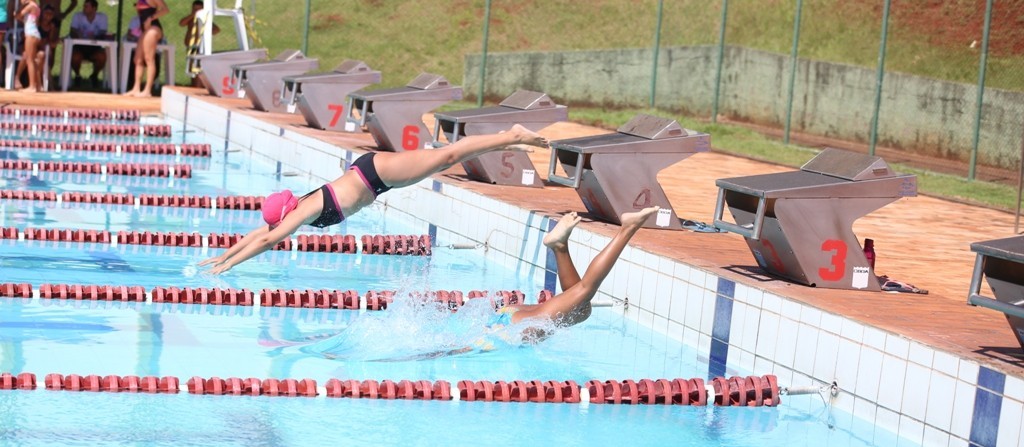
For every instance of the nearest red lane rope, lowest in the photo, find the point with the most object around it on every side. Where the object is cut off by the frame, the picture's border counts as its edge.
(737, 391)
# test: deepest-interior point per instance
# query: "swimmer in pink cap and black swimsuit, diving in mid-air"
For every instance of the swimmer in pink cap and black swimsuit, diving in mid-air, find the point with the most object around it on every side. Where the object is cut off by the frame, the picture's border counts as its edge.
(371, 175)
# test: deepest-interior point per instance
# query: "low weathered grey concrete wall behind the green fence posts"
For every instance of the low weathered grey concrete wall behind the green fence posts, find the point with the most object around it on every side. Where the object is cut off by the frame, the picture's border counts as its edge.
(832, 100)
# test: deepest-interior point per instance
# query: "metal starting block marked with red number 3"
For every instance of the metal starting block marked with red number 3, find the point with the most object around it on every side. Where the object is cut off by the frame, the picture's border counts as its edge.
(799, 226)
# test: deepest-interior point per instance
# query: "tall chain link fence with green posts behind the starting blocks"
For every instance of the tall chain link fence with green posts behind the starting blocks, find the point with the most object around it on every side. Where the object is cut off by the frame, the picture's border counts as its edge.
(925, 83)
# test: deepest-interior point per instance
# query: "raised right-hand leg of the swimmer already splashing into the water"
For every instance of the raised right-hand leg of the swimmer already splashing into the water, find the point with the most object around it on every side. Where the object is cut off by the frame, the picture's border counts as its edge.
(573, 305)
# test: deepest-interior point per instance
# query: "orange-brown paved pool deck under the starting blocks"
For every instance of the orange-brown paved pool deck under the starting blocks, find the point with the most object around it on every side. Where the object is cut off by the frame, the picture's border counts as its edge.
(923, 241)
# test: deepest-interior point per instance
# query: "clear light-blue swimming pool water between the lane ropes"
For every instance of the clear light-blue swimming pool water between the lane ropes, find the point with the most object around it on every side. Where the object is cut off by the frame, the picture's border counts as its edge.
(152, 339)
